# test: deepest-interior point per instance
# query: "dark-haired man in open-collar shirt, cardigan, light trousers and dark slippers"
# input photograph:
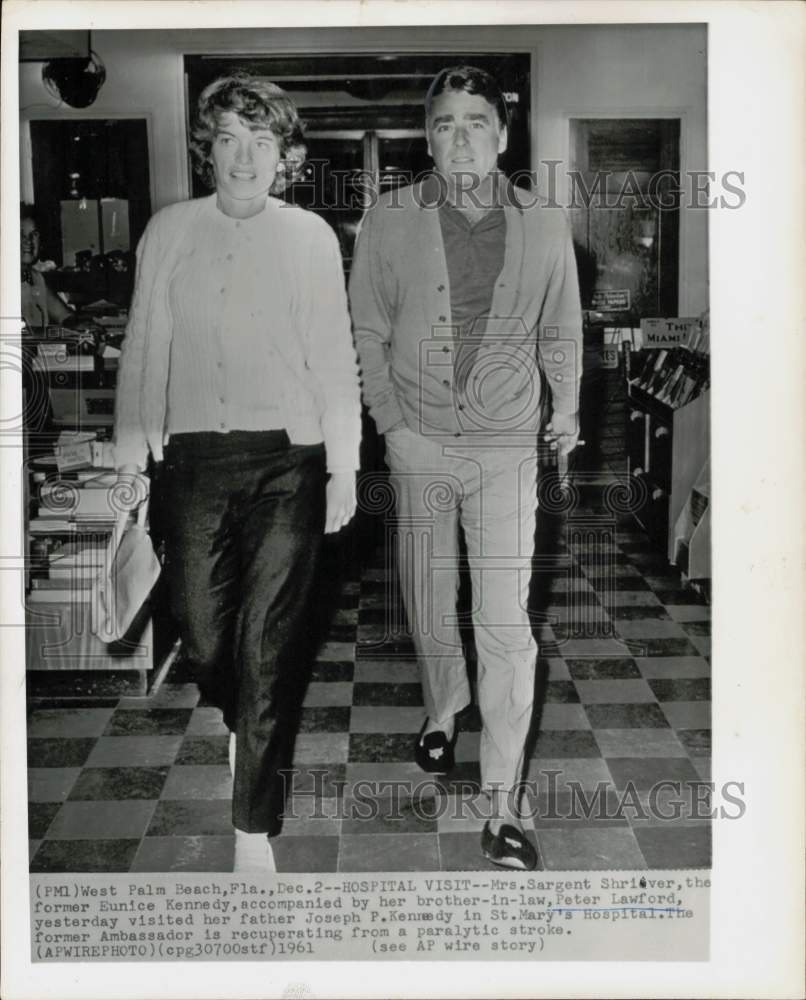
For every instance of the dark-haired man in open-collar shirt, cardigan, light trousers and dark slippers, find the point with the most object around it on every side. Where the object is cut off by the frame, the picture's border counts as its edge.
(459, 283)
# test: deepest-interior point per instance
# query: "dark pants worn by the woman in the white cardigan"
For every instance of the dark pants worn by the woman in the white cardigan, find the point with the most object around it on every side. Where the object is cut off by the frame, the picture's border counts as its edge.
(242, 515)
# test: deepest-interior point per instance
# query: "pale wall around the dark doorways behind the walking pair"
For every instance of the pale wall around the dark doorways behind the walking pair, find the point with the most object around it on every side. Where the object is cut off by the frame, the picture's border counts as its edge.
(633, 70)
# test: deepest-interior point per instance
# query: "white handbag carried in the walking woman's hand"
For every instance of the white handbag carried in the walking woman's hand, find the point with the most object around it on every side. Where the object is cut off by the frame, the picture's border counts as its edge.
(121, 588)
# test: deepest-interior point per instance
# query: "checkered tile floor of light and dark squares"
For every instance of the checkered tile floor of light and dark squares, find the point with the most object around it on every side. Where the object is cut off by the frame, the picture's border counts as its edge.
(142, 784)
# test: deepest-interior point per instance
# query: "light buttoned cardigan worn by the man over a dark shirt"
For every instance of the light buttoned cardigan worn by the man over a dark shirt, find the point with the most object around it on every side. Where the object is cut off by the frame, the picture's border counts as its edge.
(400, 304)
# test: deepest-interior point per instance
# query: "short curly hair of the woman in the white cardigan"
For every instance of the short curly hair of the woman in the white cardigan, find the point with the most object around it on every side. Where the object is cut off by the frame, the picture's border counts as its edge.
(259, 103)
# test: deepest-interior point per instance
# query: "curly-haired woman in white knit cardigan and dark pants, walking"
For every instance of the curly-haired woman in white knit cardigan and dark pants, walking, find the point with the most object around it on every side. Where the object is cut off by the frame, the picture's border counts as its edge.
(238, 376)
